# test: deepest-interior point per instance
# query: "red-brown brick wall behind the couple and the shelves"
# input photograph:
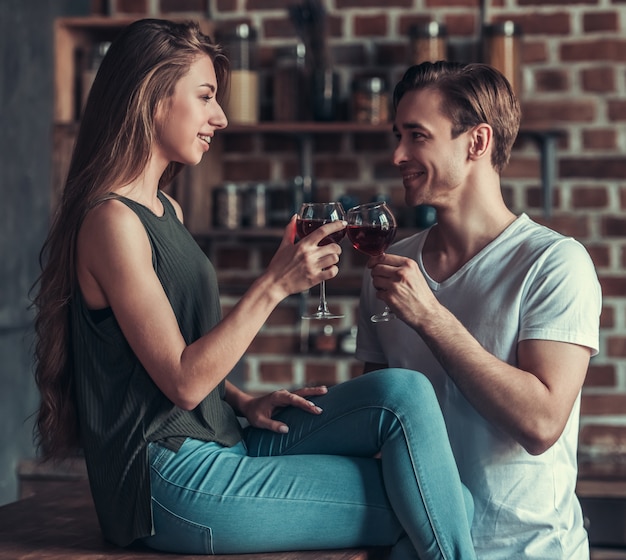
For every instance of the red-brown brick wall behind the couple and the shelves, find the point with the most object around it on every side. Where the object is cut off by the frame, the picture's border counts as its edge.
(573, 79)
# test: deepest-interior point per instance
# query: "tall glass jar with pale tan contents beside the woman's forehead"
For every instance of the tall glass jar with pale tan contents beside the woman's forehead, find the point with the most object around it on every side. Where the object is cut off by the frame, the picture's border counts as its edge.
(242, 101)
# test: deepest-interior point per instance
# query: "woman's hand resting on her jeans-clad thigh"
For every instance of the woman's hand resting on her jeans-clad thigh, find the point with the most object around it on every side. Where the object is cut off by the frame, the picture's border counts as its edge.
(260, 410)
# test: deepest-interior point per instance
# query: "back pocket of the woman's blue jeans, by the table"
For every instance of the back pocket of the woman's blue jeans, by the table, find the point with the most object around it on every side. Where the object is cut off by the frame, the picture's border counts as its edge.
(178, 535)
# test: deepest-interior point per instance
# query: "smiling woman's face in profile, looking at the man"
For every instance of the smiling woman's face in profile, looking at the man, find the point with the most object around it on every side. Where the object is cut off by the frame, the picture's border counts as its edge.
(187, 121)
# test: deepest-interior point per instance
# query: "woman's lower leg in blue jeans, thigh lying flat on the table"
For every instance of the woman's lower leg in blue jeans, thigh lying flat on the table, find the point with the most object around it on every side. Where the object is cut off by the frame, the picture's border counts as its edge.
(207, 499)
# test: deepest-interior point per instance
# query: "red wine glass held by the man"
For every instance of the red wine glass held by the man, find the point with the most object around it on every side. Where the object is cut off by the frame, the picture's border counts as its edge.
(371, 229)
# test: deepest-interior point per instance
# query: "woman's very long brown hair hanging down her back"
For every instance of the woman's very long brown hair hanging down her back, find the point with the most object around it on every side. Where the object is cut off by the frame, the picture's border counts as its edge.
(112, 148)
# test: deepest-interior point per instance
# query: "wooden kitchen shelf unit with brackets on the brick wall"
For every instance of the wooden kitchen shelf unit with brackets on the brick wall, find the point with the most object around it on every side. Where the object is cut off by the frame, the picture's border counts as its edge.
(74, 37)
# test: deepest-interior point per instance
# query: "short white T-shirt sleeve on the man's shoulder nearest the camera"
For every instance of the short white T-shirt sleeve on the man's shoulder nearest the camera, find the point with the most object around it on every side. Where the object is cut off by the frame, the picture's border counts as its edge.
(562, 297)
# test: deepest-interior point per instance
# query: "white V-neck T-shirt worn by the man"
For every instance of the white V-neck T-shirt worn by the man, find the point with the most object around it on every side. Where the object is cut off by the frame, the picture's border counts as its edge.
(529, 283)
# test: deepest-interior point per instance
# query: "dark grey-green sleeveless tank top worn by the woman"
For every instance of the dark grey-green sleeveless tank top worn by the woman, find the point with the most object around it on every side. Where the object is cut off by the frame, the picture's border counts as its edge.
(121, 410)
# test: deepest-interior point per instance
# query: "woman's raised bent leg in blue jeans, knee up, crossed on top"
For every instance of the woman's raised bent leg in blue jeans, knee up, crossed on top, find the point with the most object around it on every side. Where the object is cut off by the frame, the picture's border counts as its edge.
(394, 412)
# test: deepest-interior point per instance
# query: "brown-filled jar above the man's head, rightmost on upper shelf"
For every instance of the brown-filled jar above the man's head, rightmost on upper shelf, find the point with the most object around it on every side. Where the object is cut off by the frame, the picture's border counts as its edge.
(502, 50)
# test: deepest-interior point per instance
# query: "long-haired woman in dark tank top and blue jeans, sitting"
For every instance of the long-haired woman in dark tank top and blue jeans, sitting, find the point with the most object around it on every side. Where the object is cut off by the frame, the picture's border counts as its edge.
(133, 353)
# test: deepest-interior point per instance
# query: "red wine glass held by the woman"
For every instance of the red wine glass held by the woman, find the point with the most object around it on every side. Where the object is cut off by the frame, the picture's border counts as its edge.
(311, 216)
